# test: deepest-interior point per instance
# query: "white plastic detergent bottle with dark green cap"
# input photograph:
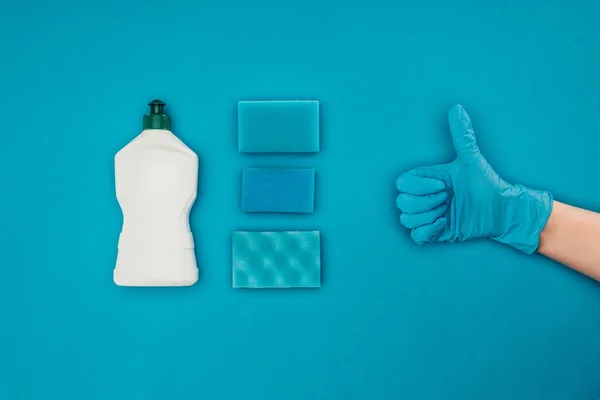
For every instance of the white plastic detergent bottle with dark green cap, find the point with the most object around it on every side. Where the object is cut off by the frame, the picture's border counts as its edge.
(157, 180)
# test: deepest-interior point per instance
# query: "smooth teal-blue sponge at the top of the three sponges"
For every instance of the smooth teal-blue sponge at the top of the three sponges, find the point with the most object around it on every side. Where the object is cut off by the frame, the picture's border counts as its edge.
(278, 126)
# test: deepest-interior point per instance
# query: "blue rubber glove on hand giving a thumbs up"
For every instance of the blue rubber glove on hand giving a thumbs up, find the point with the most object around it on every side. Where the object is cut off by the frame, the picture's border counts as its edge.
(466, 199)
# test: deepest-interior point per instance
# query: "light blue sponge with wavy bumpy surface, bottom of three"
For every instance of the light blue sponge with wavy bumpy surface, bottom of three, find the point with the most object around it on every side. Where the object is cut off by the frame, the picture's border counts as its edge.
(276, 259)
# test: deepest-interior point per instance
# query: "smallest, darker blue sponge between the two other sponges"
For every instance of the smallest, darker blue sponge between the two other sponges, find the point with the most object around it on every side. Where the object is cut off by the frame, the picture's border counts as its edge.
(281, 190)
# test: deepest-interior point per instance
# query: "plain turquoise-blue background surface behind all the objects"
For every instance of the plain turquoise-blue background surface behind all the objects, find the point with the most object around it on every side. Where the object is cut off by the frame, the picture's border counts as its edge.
(393, 320)
